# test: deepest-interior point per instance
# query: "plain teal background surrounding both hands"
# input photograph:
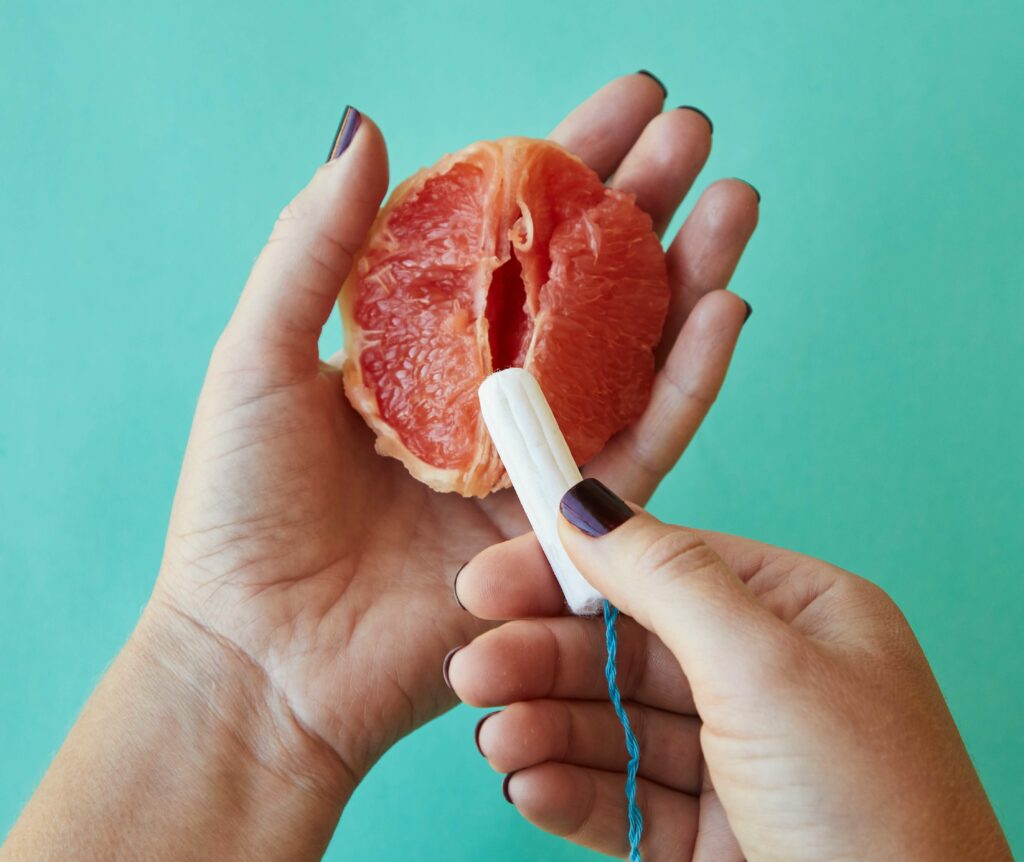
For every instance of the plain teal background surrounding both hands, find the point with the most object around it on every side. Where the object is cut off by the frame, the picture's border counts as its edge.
(874, 413)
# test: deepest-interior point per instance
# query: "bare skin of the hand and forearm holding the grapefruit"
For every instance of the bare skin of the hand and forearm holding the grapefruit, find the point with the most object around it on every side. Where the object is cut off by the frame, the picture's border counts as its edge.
(306, 598)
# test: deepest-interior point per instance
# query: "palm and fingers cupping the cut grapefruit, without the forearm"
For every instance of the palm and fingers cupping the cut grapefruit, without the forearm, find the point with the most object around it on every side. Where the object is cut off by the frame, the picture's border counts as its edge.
(327, 569)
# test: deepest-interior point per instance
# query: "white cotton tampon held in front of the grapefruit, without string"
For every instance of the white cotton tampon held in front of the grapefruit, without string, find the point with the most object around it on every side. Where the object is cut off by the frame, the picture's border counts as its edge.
(541, 467)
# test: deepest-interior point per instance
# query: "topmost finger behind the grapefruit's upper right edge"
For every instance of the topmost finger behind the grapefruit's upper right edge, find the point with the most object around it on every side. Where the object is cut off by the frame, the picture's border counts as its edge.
(603, 130)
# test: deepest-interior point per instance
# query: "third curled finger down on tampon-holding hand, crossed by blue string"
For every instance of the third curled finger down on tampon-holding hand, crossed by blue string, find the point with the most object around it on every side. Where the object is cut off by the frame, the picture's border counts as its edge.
(588, 734)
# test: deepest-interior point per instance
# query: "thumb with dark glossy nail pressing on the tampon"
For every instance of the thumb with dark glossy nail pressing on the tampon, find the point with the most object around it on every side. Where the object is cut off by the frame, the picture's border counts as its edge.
(672, 583)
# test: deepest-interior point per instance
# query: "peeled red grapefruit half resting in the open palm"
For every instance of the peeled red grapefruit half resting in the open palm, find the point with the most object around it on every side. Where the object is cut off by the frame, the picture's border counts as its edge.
(510, 253)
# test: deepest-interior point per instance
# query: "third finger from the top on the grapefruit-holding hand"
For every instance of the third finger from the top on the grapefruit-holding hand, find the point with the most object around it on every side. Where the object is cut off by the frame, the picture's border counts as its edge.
(705, 253)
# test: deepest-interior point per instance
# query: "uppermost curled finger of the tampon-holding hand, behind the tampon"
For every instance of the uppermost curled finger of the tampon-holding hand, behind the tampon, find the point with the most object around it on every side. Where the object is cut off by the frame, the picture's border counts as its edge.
(510, 581)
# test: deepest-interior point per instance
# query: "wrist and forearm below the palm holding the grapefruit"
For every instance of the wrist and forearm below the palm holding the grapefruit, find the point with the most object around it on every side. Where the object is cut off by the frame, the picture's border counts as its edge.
(184, 739)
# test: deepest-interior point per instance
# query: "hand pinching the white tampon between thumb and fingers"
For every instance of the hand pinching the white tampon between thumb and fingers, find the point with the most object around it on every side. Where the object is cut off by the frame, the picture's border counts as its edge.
(784, 708)
